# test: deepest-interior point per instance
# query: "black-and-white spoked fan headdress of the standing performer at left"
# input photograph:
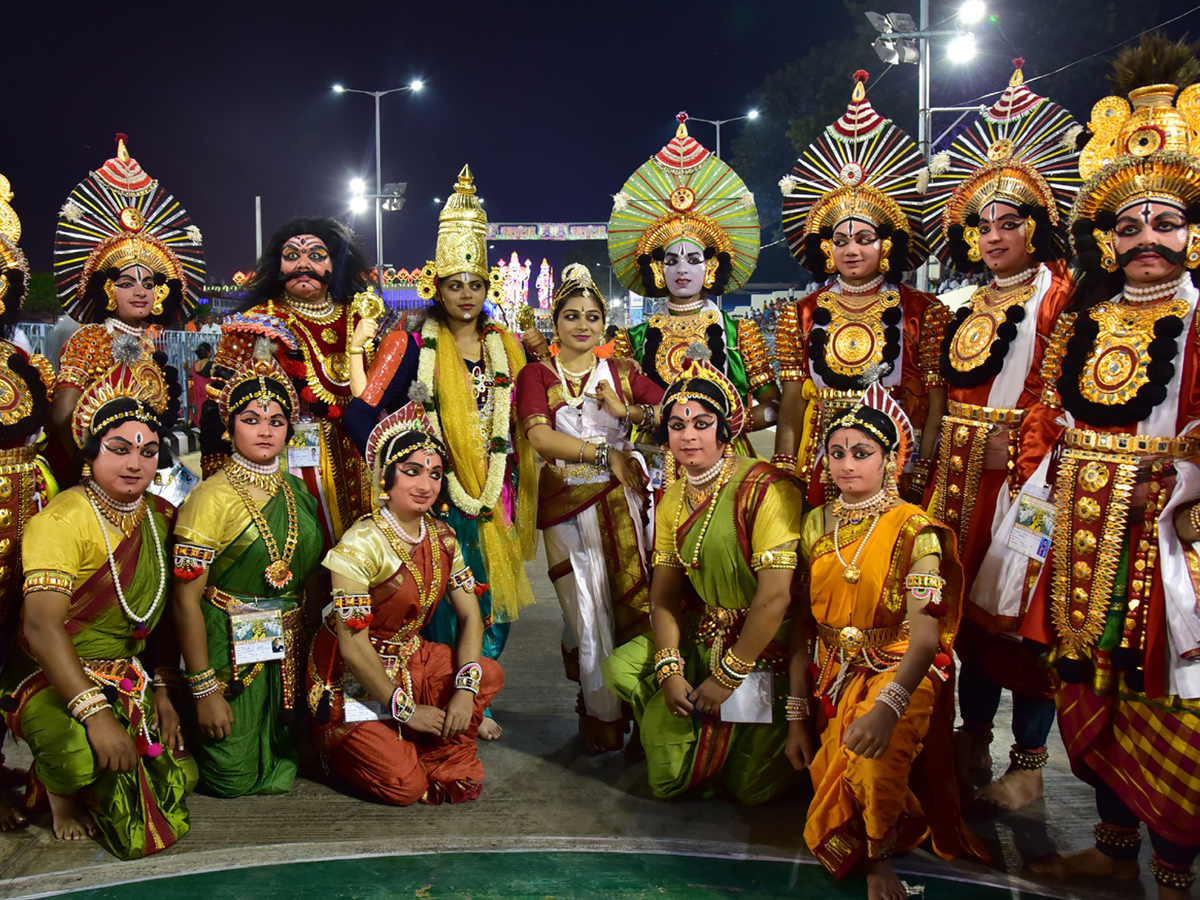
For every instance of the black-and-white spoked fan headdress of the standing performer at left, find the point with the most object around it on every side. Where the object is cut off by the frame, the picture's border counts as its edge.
(117, 218)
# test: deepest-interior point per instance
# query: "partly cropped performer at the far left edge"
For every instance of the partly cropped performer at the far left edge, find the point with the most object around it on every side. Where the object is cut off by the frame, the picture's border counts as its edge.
(26, 386)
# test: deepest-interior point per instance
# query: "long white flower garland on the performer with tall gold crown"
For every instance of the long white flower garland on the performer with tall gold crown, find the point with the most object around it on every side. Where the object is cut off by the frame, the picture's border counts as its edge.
(500, 425)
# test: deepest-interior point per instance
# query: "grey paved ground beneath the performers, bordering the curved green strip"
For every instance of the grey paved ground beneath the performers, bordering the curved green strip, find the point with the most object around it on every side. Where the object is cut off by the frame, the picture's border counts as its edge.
(543, 793)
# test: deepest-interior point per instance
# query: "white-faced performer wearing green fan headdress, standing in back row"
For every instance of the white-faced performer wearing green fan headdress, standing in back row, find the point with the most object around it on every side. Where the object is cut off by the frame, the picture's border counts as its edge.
(682, 227)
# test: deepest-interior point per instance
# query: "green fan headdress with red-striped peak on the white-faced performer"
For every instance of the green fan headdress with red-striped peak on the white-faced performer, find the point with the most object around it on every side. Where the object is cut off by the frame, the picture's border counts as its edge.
(683, 193)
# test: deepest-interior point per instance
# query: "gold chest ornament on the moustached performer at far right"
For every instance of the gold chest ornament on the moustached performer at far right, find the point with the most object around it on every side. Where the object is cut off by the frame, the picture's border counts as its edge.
(1117, 365)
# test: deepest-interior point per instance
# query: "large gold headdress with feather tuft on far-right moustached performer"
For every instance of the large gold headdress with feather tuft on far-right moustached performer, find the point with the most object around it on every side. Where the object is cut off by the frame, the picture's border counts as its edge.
(1143, 149)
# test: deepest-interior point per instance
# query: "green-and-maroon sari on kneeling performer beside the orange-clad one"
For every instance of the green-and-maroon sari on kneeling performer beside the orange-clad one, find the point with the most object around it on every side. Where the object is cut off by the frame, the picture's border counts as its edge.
(758, 511)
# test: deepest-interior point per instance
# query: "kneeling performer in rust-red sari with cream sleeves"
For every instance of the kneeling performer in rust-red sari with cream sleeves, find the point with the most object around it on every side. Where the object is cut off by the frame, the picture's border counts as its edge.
(391, 571)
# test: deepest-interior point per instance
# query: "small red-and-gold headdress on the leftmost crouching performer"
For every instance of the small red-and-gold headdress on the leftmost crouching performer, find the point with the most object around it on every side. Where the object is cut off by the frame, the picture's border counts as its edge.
(134, 388)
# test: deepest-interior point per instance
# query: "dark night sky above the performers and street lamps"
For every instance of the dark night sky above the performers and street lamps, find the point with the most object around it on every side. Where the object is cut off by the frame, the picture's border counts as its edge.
(553, 104)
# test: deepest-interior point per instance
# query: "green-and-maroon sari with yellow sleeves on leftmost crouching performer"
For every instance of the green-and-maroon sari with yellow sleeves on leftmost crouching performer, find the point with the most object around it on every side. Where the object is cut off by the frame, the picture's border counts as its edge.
(141, 812)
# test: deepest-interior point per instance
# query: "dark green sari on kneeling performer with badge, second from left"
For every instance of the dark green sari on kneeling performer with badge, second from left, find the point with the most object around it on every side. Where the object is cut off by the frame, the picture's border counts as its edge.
(260, 754)
